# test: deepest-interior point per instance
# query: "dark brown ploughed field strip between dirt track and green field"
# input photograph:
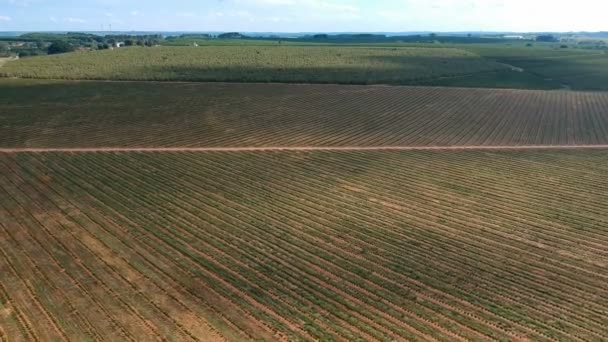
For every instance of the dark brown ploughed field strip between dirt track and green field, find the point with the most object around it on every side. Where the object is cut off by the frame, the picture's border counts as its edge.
(103, 114)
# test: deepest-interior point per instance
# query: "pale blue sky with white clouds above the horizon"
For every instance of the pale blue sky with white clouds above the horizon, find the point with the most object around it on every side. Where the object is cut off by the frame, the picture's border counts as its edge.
(304, 15)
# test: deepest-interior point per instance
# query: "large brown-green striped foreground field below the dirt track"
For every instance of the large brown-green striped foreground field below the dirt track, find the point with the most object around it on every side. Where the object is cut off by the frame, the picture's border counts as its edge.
(393, 245)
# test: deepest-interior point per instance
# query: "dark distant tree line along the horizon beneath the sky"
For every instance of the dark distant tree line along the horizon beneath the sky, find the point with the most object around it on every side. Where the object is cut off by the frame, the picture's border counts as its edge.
(33, 44)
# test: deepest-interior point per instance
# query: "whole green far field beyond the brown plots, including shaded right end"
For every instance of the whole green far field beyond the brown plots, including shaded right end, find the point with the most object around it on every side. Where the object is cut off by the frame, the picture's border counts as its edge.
(492, 65)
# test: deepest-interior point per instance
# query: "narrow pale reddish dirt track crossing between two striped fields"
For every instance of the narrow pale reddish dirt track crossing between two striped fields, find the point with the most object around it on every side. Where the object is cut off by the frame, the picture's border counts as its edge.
(299, 148)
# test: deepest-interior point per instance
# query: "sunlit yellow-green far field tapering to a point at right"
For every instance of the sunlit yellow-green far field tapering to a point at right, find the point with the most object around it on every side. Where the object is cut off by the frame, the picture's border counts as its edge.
(307, 64)
